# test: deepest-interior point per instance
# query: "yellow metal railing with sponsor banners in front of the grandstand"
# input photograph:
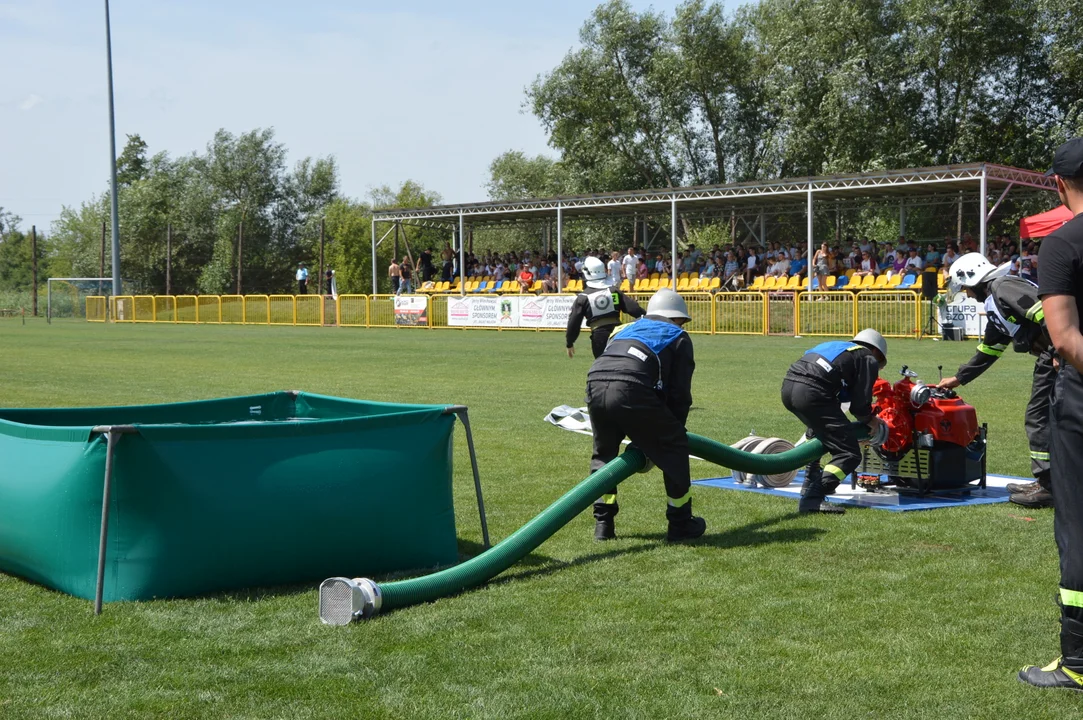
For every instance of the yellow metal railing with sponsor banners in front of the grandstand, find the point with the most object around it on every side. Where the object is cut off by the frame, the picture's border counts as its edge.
(897, 313)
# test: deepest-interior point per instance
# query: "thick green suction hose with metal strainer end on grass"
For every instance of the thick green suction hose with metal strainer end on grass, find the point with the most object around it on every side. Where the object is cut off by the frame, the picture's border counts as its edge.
(374, 597)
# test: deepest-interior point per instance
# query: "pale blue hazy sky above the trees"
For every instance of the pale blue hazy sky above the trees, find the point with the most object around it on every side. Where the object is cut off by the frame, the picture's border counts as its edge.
(422, 90)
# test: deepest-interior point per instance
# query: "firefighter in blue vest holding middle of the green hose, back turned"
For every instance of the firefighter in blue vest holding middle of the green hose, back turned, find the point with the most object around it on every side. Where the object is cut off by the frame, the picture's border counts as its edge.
(642, 388)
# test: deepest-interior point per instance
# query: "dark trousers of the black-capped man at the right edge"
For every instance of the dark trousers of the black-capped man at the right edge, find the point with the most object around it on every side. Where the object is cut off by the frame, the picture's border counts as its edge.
(1066, 449)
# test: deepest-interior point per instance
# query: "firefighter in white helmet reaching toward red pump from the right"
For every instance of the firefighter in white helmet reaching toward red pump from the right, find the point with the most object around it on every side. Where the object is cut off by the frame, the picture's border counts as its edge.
(1014, 316)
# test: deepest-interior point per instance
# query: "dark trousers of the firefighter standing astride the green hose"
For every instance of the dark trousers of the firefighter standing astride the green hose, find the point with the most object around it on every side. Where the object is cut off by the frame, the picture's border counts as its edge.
(625, 410)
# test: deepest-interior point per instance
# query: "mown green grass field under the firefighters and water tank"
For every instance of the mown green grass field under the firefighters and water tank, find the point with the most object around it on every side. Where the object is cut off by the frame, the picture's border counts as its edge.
(772, 616)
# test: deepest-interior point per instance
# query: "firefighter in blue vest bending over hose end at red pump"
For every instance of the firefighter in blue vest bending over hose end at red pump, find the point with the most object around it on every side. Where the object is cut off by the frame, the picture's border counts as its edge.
(814, 390)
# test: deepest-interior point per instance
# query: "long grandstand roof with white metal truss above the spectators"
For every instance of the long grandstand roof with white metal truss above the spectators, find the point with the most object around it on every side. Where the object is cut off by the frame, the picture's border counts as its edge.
(920, 185)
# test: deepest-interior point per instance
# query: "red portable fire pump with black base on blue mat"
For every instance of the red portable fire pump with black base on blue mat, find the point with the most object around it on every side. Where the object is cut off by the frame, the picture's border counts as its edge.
(931, 441)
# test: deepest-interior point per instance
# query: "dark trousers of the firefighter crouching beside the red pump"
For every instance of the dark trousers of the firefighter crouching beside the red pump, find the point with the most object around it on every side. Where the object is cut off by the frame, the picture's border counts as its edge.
(821, 413)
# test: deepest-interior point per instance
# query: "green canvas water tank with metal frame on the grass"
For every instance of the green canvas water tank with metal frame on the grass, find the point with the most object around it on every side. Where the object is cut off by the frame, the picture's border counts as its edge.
(227, 494)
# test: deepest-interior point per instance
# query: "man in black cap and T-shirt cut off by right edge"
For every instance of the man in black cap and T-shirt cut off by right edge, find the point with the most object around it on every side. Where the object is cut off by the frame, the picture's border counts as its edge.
(1061, 287)
